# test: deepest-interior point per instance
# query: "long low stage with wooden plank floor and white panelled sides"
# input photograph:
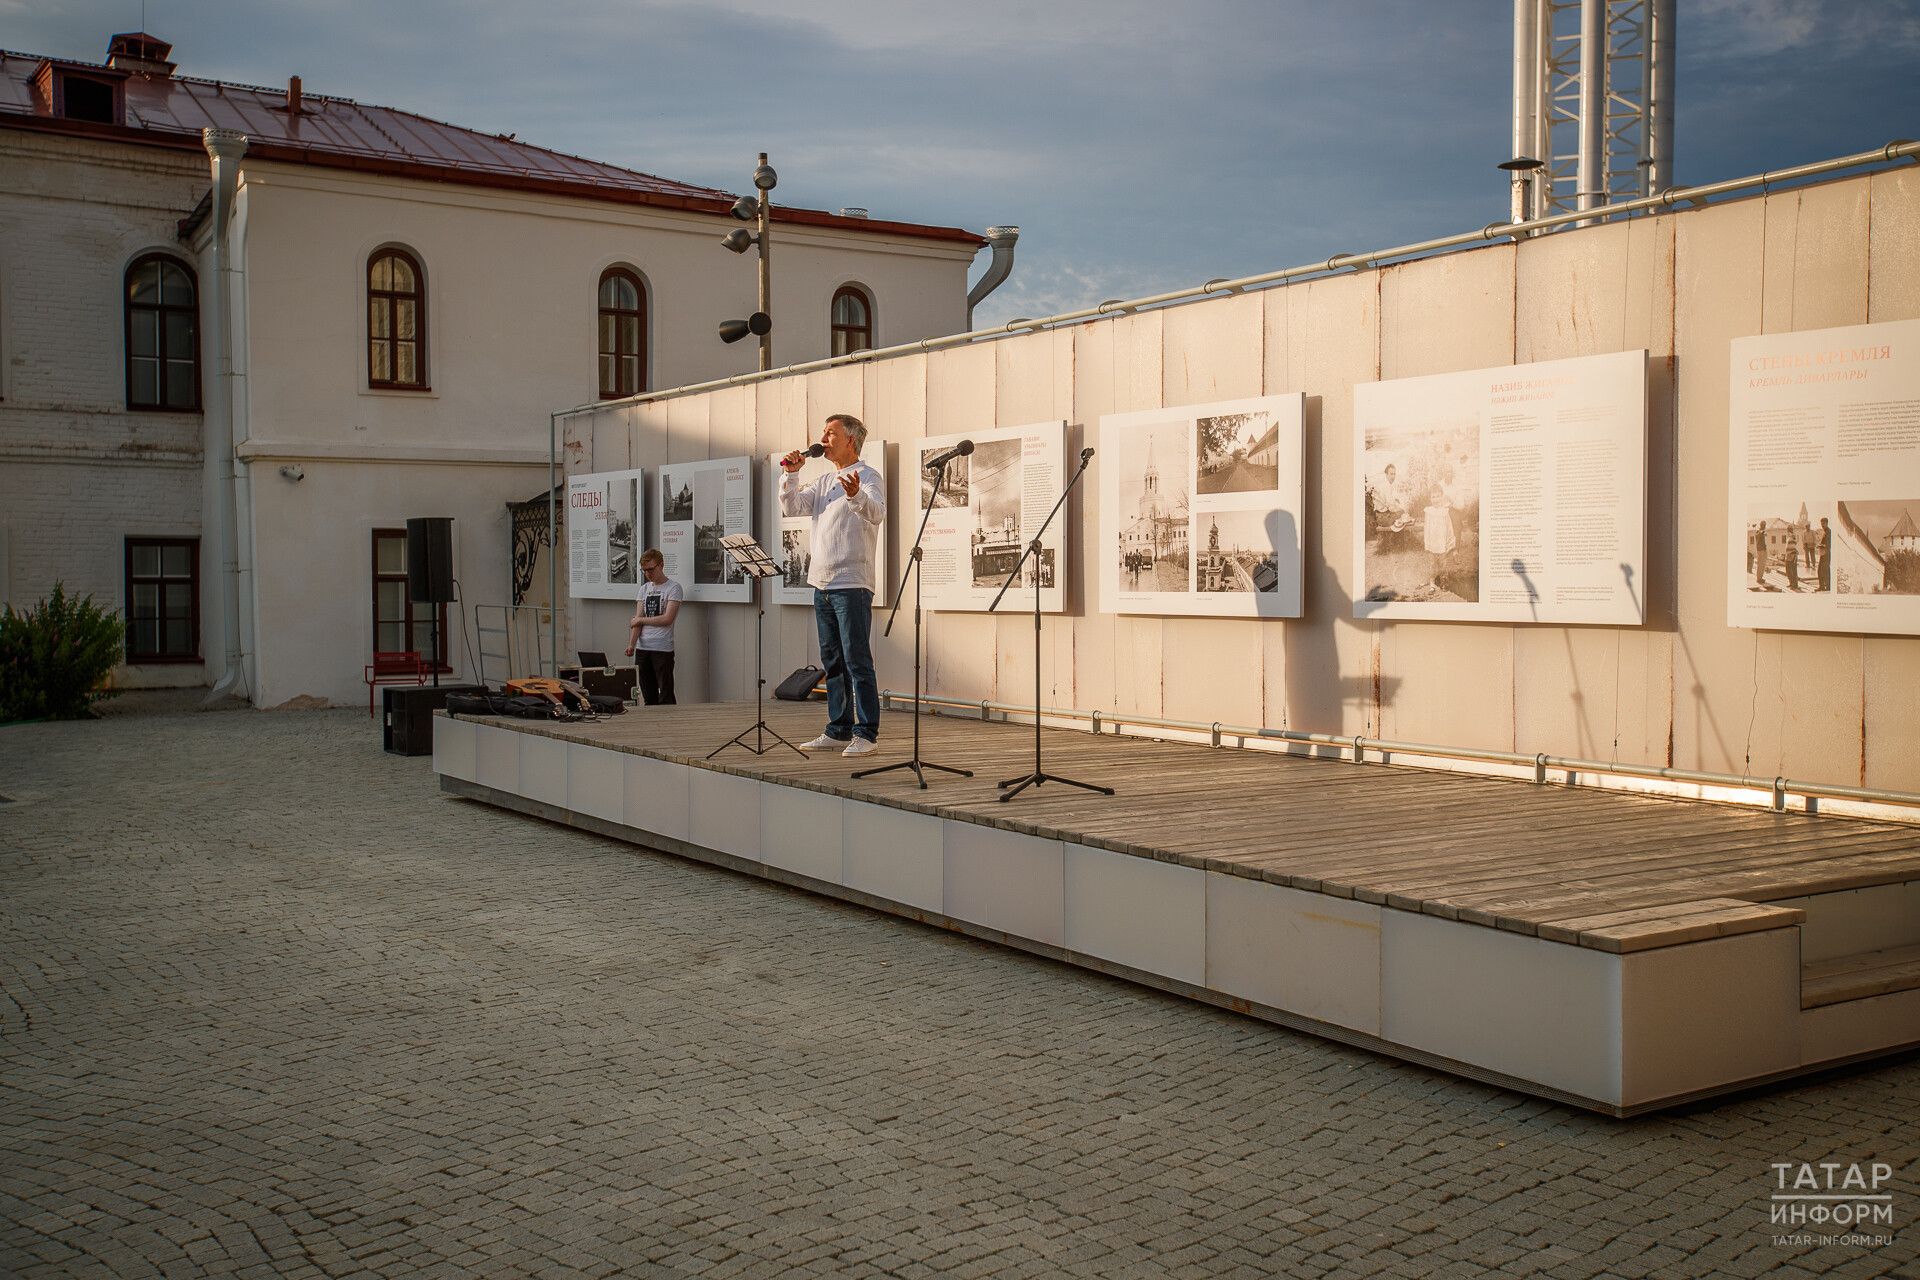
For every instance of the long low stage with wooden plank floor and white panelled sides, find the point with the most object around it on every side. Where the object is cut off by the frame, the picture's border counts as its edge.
(1606, 949)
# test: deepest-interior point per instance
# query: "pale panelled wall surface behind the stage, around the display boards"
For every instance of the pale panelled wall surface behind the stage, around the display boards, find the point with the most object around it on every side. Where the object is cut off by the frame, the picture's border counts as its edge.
(1685, 690)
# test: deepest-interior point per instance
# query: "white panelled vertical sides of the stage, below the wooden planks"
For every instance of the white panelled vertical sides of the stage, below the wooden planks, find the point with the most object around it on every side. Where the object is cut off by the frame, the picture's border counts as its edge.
(1620, 1033)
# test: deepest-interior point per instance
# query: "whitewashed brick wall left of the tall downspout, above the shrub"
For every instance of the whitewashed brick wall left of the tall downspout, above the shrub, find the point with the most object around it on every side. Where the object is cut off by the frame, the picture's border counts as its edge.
(80, 473)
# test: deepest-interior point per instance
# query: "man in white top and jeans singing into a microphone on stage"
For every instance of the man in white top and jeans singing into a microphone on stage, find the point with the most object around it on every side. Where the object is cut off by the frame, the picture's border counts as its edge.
(848, 508)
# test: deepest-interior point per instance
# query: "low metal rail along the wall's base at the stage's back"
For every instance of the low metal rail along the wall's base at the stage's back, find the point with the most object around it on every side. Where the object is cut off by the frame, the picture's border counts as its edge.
(1360, 746)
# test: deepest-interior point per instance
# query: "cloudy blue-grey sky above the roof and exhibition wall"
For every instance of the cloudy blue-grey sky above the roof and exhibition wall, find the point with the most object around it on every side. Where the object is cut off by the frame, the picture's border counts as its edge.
(1140, 145)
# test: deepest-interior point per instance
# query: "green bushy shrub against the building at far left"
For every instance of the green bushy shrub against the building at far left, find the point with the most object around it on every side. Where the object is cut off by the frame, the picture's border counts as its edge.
(55, 659)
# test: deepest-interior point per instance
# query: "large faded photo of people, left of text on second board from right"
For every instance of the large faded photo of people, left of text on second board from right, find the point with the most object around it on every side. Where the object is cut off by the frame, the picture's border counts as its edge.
(1424, 513)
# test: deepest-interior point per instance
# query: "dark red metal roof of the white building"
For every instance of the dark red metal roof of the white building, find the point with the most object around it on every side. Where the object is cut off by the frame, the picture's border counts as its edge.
(352, 135)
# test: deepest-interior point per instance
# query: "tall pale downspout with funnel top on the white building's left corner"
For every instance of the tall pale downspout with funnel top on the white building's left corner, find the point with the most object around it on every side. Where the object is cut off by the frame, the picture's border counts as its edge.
(226, 147)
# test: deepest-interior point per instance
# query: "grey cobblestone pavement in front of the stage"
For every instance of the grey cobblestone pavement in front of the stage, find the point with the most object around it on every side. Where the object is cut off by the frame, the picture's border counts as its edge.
(277, 1007)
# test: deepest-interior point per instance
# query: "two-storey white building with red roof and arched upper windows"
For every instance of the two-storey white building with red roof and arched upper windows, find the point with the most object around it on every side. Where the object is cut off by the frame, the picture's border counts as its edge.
(402, 323)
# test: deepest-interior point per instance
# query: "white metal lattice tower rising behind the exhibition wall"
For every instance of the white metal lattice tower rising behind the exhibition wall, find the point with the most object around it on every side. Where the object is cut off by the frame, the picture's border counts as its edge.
(1593, 103)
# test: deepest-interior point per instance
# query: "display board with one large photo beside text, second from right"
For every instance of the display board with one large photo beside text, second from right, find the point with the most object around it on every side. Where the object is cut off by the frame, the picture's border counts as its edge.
(1504, 494)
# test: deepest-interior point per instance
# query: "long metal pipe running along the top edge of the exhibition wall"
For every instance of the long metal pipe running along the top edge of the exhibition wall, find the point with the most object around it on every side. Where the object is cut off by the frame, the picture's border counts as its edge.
(1493, 231)
